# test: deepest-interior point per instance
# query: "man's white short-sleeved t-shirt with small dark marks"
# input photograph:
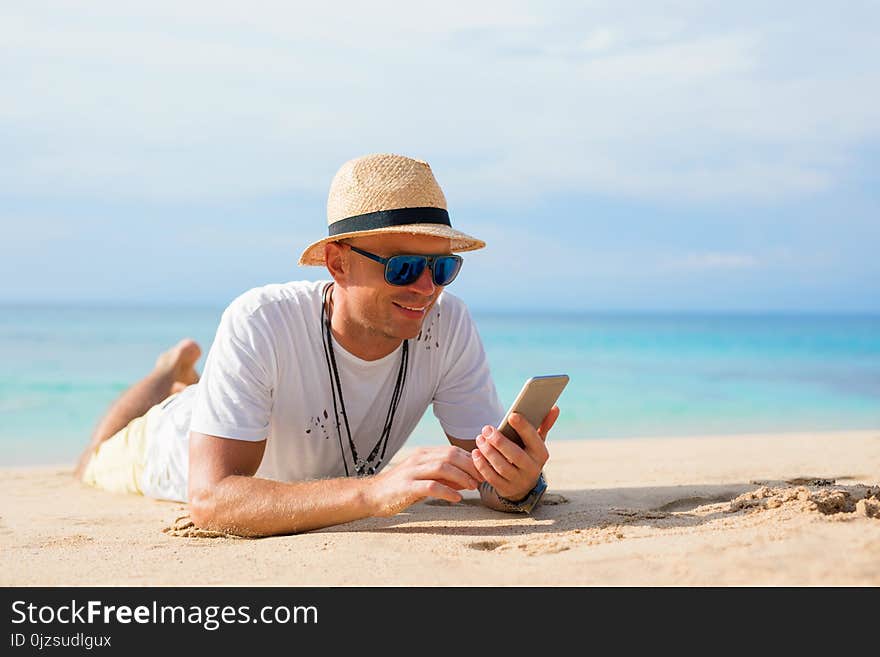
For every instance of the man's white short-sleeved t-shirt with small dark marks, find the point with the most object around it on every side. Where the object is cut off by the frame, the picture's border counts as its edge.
(266, 378)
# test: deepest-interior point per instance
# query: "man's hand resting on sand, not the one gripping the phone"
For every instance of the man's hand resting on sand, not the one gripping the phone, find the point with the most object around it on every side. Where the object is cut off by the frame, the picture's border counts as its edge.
(429, 472)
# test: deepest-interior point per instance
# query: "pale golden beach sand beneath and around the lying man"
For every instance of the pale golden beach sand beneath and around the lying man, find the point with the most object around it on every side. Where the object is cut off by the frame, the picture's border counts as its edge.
(773, 509)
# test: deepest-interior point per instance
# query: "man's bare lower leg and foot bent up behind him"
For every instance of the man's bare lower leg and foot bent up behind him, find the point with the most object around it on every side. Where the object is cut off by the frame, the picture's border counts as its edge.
(174, 370)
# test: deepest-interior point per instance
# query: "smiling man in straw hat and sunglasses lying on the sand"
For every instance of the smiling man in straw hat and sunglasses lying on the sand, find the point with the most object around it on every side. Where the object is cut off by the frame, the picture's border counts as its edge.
(311, 387)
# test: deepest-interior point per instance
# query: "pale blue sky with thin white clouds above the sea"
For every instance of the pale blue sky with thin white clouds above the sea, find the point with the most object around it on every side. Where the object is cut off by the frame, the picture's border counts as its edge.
(615, 156)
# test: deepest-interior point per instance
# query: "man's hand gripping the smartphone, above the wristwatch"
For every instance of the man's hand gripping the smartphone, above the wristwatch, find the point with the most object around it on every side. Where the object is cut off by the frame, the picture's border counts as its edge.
(513, 470)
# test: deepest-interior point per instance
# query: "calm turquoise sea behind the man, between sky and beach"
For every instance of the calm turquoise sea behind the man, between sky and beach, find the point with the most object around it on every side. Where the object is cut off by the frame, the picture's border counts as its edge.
(631, 374)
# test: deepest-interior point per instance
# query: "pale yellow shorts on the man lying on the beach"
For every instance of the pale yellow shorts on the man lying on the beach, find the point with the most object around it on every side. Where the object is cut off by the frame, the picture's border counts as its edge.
(118, 462)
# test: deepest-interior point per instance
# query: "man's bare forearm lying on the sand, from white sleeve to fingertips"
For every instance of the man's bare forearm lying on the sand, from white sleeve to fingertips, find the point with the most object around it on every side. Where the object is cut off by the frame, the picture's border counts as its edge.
(225, 496)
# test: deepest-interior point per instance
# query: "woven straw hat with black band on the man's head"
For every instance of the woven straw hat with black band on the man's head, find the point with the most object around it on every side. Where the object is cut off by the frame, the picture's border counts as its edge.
(386, 193)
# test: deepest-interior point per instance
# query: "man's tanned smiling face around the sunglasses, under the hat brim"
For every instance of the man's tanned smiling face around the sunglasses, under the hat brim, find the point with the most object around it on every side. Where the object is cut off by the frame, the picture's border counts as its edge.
(395, 312)
